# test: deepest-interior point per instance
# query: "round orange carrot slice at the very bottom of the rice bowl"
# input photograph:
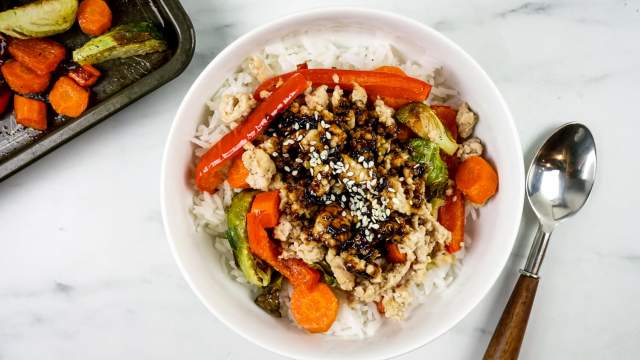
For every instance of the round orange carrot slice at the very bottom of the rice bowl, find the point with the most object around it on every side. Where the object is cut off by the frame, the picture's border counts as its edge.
(315, 309)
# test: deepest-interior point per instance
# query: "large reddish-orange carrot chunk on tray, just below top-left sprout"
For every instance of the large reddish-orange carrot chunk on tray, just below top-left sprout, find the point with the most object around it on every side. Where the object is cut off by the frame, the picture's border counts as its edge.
(39, 55)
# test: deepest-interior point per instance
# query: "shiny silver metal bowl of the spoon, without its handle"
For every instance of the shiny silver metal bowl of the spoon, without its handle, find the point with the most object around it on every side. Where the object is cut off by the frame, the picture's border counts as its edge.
(562, 174)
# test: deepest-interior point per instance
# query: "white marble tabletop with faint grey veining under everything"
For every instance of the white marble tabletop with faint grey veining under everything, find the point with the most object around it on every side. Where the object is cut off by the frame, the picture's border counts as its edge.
(86, 272)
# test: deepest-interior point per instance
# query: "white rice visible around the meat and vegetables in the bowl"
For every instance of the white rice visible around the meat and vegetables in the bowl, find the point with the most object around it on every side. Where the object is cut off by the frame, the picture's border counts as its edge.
(356, 321)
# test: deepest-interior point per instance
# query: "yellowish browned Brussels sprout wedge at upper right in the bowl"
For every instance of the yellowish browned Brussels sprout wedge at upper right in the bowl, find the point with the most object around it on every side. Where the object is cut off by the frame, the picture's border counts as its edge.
(424, 122)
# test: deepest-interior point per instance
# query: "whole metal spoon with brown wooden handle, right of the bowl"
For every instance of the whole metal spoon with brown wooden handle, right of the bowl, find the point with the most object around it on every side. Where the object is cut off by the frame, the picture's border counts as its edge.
(559, 182)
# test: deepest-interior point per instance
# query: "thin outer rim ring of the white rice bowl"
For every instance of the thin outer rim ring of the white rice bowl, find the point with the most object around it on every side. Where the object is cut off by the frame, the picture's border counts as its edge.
(327, 12)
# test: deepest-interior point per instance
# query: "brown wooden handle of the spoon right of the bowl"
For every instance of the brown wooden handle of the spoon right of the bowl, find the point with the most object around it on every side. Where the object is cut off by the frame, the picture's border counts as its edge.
(507, 338)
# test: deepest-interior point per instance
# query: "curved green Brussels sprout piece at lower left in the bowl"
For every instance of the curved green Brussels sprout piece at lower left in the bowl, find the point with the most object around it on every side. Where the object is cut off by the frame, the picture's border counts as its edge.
(255, 271)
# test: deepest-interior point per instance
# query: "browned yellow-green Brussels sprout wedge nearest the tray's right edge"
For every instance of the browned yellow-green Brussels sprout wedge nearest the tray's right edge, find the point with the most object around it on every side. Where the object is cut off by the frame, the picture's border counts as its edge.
(120, 42)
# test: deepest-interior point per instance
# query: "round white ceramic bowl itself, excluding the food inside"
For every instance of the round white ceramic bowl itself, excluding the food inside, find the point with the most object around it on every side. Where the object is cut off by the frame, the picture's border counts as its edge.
(494, 233)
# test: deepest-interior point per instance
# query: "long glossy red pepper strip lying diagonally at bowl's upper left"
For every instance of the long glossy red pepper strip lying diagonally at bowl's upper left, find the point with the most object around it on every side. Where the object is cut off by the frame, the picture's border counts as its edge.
(208, 175)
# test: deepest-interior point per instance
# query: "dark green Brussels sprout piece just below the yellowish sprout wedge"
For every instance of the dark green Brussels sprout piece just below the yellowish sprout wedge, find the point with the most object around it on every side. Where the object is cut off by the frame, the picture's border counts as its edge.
(437, 176)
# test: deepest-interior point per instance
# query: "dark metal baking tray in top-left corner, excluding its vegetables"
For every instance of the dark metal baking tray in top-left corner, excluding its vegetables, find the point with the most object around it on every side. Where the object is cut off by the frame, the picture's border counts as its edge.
(123, 82)
